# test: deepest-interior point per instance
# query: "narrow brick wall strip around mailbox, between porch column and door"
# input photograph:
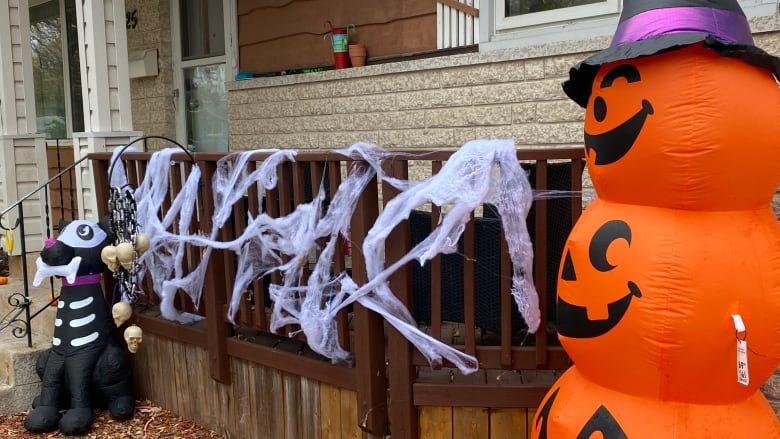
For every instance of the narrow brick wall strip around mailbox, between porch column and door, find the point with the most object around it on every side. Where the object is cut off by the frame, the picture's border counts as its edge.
(152, 97)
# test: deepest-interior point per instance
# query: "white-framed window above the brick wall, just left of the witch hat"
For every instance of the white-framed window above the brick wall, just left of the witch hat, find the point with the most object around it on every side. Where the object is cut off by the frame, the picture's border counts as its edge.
(520, 13)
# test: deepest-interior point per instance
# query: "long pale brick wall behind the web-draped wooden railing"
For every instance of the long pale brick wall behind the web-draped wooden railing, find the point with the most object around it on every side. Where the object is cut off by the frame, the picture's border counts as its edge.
(411, 104)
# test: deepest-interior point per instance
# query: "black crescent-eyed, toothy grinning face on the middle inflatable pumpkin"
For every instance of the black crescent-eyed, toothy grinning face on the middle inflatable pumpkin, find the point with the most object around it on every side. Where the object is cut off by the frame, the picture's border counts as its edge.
(573, 320)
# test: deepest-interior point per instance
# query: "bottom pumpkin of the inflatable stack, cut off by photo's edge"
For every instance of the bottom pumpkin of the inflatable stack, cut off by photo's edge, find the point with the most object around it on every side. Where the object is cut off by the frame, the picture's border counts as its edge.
(576, 408)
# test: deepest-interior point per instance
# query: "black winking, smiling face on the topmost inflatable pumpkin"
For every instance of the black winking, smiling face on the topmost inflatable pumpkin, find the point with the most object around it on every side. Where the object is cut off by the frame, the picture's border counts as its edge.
(611, 145)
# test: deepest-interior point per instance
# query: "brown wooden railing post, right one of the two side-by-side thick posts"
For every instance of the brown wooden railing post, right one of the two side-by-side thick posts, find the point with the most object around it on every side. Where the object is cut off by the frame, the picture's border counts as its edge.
(403, 413)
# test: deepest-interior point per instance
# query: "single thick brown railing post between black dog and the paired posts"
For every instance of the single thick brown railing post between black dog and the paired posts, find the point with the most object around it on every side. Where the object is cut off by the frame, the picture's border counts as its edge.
(215, 284)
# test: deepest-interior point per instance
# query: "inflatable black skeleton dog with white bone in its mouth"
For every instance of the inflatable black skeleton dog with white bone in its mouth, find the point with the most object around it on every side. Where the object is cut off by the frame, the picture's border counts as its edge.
(85, 368)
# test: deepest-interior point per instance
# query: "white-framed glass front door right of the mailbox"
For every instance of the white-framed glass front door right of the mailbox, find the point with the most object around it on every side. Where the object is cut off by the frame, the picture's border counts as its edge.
(201, 55)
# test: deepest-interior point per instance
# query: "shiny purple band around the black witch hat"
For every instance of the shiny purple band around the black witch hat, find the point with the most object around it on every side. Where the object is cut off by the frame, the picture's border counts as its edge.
(720, 23)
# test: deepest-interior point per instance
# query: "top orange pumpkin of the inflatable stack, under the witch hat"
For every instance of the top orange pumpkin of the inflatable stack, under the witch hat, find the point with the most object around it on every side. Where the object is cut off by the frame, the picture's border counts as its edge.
(671, 130)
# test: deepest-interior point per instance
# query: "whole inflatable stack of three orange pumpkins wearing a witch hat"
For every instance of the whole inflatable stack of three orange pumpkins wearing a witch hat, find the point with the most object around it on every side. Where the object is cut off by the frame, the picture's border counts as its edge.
(669, 288)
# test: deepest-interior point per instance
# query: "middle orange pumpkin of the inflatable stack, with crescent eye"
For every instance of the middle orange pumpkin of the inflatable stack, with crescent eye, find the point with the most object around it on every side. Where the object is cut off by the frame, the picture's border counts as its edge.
(652, 291)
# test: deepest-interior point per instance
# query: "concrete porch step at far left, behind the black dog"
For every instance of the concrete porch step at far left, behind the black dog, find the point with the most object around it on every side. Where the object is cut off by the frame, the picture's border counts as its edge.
(19, 382)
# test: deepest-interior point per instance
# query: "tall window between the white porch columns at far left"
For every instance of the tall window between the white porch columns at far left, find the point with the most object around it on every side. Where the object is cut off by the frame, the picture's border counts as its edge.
(56, 75)
